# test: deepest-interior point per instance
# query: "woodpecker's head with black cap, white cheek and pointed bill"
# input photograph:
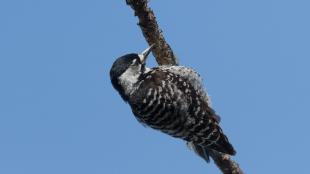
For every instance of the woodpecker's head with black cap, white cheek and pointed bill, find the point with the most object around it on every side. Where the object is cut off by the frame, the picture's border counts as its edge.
(126, 70)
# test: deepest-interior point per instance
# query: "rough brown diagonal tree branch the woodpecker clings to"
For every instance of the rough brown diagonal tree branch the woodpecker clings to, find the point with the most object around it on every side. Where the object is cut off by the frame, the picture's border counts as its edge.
(164, 56)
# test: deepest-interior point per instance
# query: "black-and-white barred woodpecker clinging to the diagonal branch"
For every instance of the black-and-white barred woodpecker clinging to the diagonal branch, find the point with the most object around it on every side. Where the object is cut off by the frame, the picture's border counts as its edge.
(171, 99)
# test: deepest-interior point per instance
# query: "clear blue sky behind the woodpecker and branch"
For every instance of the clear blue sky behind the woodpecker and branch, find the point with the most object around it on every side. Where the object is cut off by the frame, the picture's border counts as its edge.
(60, 114)
